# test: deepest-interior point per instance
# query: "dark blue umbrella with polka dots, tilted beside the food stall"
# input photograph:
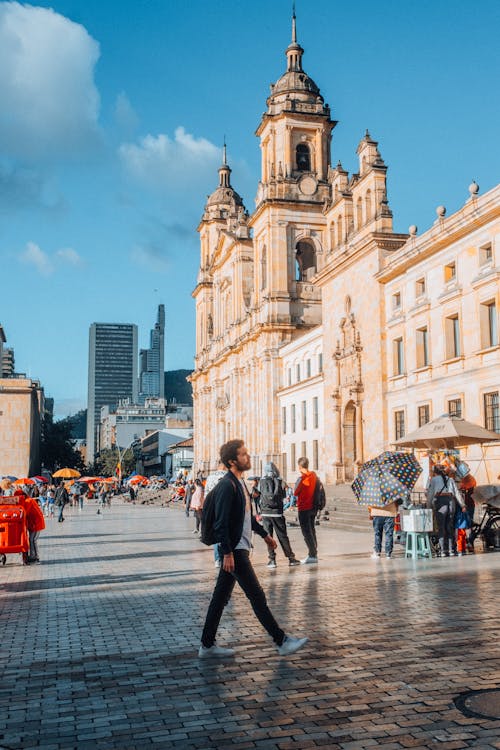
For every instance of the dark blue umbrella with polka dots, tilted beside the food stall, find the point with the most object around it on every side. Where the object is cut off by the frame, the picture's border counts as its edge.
(387, 478)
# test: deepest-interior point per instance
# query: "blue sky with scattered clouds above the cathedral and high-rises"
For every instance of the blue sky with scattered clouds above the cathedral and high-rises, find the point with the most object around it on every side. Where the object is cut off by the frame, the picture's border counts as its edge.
(111, 122)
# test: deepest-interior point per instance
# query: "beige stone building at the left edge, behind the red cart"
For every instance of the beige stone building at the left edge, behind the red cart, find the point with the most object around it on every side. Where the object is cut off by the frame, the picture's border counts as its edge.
(21, 407)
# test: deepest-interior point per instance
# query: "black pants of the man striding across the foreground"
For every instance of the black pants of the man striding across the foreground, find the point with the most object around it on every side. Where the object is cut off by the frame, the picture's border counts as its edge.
(244, 574)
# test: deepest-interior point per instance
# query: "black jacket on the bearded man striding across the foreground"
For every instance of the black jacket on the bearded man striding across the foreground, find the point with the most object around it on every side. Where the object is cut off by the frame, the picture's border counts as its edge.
(230, 513)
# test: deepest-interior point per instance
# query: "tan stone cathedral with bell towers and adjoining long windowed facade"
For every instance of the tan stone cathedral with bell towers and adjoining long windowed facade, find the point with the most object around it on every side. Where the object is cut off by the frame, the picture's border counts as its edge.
(319, 330)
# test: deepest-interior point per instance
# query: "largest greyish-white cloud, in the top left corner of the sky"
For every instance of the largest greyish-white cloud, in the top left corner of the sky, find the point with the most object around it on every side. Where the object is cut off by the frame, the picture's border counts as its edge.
(50, 103)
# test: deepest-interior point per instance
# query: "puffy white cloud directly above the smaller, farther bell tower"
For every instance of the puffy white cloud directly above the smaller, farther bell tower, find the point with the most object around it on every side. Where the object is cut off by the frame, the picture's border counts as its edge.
(171, 162)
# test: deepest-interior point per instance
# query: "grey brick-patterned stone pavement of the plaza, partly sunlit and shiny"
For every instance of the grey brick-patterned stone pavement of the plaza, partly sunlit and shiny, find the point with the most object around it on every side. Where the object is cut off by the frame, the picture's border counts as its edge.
(98, 644)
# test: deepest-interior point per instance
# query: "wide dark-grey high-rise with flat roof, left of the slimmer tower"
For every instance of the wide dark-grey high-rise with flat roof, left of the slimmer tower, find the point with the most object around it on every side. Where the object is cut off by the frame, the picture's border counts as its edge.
(112, 372)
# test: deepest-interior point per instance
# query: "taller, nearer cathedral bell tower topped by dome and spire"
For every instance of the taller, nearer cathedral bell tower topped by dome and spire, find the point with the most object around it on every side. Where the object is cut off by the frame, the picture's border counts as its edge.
(288, 223)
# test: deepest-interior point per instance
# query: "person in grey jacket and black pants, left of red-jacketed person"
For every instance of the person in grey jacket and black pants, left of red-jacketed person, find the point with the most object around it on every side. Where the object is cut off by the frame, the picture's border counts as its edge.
(272, 492)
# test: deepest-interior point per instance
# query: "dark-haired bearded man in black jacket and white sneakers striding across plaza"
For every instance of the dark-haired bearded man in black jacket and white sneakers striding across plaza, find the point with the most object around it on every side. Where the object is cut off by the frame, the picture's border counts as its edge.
(233, 526)
